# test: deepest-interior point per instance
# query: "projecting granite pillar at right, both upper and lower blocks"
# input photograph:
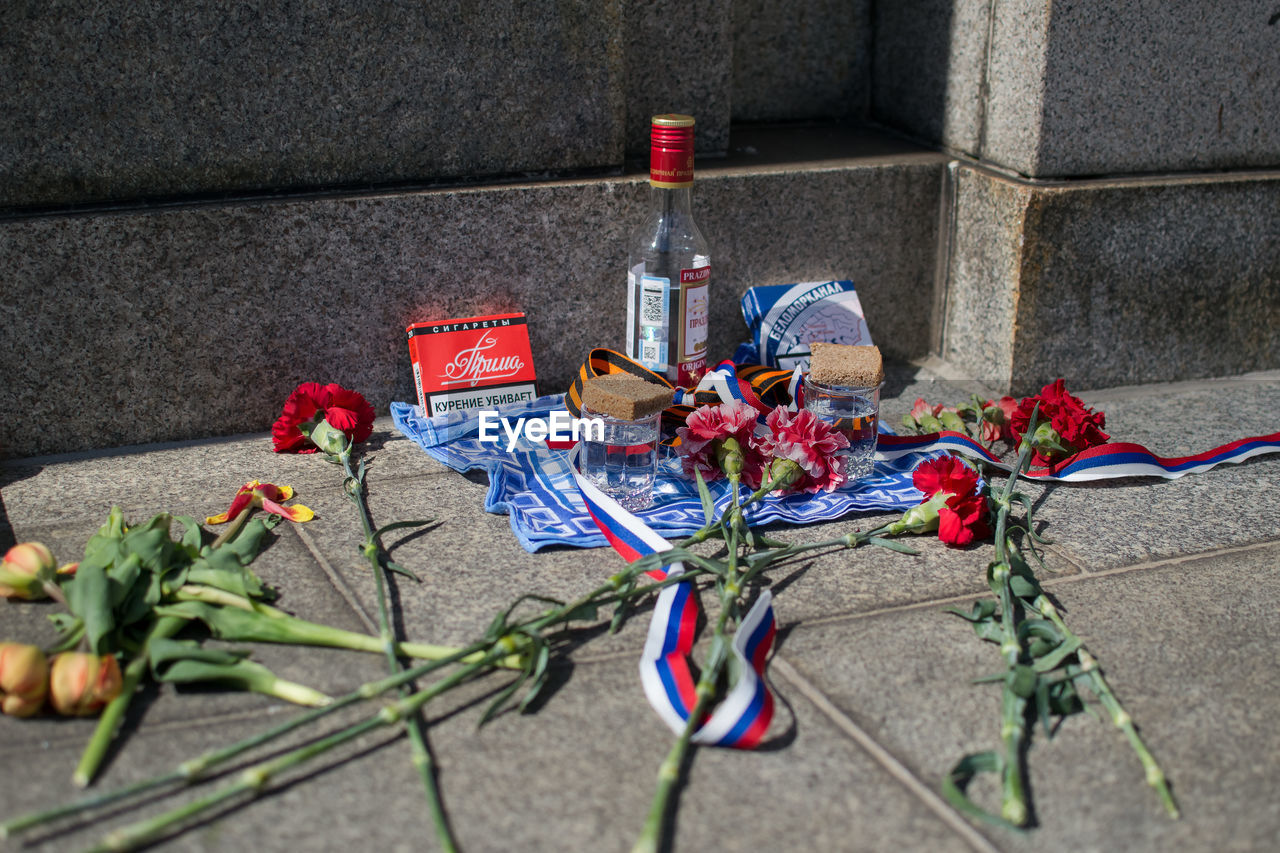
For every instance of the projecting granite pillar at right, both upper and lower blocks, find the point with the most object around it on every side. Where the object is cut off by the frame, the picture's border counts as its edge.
(1113, 213)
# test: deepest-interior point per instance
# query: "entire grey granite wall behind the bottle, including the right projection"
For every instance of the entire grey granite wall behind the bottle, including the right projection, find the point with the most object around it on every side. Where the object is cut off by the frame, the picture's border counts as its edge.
(204, 206)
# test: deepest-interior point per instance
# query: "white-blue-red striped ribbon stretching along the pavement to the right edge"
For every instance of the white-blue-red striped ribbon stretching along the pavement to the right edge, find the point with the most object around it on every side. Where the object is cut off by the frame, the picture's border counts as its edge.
(1105, 462)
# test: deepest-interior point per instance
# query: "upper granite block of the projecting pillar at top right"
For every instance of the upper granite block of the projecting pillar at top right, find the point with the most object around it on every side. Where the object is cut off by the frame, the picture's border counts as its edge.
(1053, 90)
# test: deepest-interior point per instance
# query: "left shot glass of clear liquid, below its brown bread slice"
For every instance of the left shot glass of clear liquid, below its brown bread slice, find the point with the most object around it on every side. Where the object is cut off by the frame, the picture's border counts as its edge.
(624, 462)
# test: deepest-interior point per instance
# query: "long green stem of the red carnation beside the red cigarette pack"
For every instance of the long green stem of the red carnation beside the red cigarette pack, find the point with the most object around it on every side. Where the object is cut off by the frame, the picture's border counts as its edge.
(420, 754)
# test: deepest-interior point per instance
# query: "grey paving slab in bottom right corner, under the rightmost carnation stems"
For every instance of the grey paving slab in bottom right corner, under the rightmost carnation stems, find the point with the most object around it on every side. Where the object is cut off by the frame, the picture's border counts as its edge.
(1188, 650)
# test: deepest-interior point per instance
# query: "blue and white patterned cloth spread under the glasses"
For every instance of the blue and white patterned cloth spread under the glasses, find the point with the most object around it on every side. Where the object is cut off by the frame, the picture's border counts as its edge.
(534, 485)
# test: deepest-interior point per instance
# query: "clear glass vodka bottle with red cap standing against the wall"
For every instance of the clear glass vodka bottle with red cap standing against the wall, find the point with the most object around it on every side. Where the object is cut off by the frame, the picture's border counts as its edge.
(669, 264)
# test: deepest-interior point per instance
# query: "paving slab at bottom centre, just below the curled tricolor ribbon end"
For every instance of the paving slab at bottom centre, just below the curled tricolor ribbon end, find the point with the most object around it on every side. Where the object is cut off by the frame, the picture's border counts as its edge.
(577, 776)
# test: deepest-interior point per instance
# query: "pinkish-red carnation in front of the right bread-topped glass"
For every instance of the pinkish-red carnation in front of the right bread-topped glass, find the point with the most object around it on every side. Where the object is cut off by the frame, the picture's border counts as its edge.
(812, 448)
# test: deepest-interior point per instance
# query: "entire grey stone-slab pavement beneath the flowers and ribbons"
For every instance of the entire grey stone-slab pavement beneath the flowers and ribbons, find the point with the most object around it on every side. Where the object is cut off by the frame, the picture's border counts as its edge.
(1174, 586)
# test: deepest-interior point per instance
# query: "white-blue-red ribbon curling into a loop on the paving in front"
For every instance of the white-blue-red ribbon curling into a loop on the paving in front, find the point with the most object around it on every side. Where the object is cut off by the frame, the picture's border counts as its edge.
(744, 715)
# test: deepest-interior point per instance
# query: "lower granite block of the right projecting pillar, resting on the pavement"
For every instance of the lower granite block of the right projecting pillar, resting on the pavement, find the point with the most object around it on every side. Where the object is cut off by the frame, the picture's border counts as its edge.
(1117, 282)
